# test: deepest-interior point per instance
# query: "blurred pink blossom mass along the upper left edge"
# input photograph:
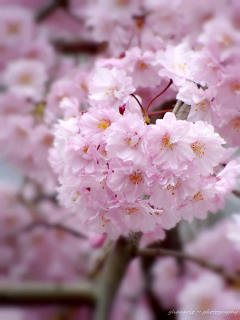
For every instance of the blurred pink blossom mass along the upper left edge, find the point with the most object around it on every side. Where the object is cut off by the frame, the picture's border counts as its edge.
(28, 63)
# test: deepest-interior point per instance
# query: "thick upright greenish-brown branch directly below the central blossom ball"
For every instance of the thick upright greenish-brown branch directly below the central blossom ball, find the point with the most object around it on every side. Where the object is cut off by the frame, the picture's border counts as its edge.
(113, 272)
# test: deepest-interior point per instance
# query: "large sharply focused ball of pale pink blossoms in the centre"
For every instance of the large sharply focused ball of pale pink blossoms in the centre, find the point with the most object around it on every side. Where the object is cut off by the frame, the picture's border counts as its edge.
(120, 174)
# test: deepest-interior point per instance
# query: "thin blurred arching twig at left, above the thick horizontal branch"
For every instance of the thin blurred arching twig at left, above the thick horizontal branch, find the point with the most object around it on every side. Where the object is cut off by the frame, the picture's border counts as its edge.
(46, 225)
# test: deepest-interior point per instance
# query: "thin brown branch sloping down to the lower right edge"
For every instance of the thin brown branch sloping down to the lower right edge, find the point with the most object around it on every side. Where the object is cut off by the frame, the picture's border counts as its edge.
(184, 256)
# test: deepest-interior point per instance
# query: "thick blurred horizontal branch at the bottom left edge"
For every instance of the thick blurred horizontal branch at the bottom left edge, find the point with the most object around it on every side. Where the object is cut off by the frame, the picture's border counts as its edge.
(46, 294)
